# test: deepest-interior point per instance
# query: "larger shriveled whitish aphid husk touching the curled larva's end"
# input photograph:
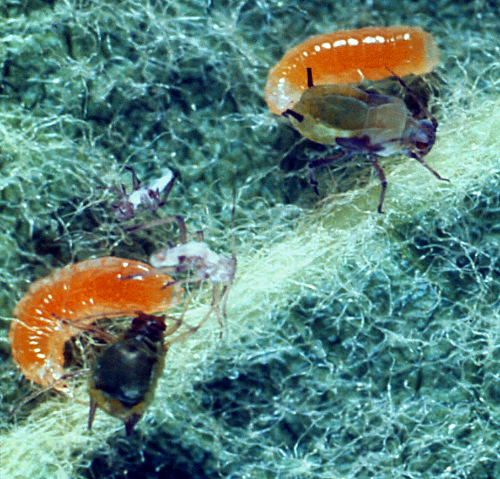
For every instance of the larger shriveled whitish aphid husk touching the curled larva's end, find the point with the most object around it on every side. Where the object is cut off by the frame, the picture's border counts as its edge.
(196, 255)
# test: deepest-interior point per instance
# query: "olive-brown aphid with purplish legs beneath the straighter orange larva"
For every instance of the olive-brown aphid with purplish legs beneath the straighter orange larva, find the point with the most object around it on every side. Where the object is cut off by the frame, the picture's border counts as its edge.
(361, 121)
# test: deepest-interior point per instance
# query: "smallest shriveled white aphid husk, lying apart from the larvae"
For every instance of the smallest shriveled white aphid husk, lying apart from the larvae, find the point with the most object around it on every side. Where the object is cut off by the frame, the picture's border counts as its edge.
(150, 197)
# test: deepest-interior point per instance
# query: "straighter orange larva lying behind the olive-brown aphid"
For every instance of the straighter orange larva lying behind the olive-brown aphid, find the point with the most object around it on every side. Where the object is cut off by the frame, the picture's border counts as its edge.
(349, 57)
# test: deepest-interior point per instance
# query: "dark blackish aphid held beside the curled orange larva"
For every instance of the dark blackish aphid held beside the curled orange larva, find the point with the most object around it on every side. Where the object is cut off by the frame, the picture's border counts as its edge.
(124, 377)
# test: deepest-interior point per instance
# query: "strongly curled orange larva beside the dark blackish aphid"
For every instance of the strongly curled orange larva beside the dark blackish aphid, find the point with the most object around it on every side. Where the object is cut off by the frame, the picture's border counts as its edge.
(81, 293)
